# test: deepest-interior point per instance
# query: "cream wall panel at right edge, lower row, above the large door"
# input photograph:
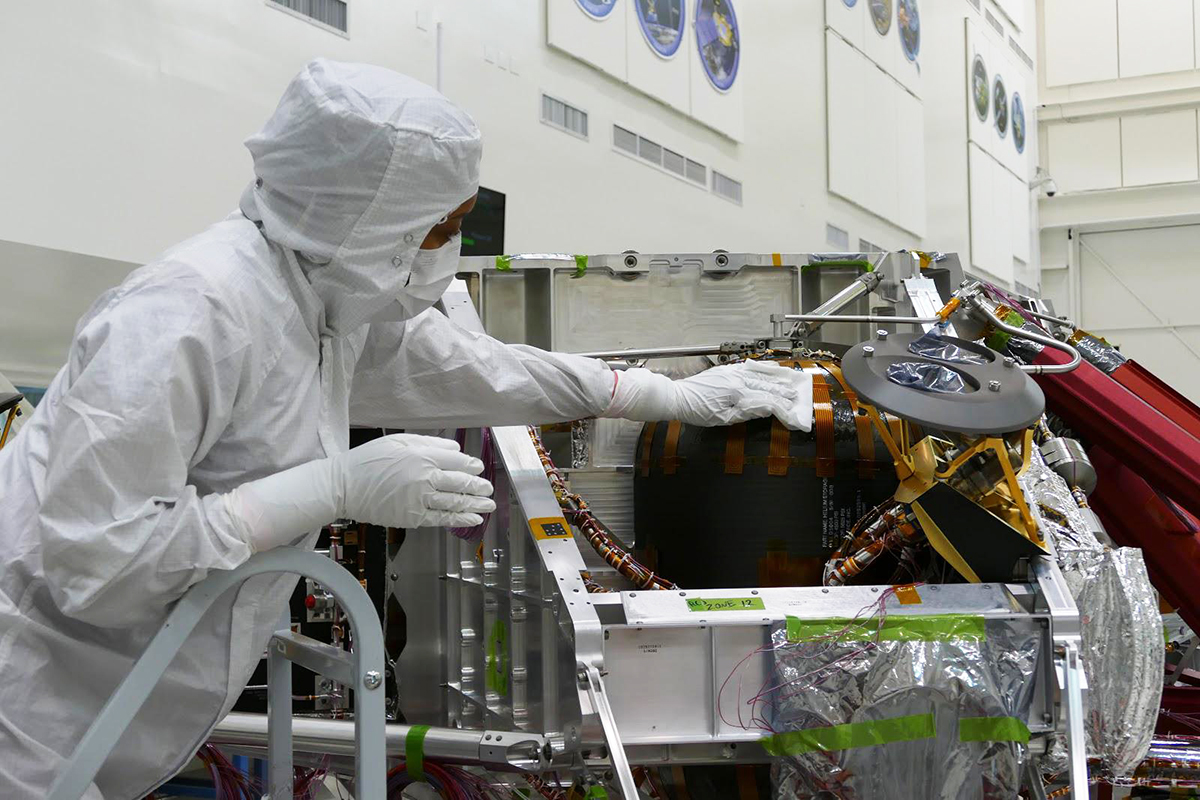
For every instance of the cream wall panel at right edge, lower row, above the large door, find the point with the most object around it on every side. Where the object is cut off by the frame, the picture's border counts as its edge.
(1160, 148)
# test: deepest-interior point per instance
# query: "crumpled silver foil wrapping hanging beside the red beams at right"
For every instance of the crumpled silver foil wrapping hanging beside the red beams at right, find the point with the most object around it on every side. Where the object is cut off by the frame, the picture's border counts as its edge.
(1121, 625)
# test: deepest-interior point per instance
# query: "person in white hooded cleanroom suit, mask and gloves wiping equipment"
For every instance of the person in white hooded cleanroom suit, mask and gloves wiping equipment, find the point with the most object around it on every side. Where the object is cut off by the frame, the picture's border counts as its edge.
(203, 417)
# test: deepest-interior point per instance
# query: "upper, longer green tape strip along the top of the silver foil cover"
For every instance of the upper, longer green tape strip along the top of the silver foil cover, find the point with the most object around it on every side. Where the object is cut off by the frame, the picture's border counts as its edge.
(935, 628)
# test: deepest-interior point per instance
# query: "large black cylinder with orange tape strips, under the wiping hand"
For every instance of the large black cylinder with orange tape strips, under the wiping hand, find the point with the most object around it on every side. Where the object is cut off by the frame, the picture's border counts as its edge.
(755, 504)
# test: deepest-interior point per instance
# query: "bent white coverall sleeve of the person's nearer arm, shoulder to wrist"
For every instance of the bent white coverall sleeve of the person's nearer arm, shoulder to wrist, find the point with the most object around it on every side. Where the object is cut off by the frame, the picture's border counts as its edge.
(149, 388)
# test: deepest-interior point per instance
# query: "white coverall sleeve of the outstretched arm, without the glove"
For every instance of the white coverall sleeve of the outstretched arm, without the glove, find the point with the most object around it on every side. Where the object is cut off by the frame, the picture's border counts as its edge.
(430, 374)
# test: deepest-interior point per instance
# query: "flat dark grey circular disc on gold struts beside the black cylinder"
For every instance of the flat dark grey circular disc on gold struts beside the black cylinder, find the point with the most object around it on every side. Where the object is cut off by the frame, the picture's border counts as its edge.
(1018, 404)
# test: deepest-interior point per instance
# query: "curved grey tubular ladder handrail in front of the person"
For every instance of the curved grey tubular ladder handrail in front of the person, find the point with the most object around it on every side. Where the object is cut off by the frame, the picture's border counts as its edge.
(369, 657)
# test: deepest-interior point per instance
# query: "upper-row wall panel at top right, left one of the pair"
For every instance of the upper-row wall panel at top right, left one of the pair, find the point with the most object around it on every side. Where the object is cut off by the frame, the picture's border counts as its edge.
(1082, 41)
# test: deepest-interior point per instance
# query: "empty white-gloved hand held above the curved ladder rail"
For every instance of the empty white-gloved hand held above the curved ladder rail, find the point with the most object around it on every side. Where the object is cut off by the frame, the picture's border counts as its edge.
(398, 482)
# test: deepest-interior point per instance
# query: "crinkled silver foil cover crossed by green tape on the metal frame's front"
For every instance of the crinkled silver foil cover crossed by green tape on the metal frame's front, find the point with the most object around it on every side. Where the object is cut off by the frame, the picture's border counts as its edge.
(939, 714)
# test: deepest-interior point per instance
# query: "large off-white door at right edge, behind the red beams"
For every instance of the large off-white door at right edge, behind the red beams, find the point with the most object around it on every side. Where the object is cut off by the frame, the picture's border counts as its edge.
(1141, 291)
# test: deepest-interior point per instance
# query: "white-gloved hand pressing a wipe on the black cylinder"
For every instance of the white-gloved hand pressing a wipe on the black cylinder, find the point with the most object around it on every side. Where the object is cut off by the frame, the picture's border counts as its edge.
(718, 396)
